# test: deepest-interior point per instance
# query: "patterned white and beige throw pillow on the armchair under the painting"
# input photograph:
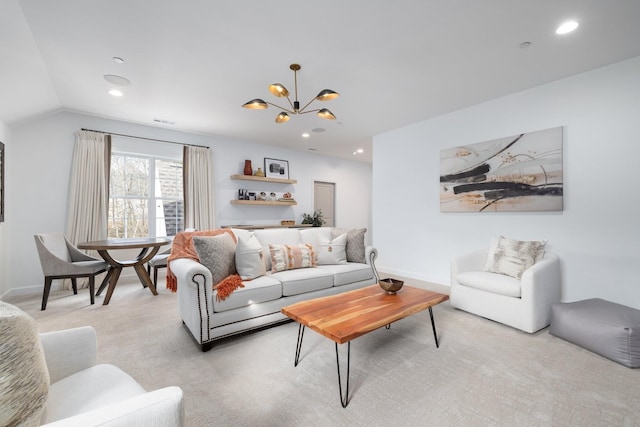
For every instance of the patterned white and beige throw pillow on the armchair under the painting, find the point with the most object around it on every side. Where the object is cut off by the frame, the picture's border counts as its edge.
(513, 257)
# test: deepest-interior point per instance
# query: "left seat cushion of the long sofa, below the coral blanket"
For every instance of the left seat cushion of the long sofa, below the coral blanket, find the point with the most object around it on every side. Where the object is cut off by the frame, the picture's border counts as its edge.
(261, 289)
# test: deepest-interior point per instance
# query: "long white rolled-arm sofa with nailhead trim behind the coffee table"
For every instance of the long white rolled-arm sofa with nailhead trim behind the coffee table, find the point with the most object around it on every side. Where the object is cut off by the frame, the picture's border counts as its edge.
(258, 303)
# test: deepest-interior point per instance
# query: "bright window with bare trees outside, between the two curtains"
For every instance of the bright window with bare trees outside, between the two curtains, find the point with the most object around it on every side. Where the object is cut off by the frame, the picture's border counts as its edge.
(145, 196)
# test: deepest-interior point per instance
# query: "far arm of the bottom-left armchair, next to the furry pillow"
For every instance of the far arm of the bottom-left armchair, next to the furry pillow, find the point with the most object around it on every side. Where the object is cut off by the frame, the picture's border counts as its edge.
(69, 351)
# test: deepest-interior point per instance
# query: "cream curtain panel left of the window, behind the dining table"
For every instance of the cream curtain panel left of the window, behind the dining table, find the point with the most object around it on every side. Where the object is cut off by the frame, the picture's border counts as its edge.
(89, 187)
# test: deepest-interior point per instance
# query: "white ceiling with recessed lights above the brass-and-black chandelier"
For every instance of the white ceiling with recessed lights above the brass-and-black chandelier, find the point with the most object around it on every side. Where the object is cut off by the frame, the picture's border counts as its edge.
(195, 62)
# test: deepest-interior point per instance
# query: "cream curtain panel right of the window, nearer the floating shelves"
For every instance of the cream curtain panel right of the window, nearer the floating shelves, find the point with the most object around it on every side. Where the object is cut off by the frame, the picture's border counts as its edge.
(199, 212)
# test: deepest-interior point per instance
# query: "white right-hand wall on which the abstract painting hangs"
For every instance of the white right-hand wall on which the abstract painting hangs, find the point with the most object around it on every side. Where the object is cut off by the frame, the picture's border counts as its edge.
(597, 235)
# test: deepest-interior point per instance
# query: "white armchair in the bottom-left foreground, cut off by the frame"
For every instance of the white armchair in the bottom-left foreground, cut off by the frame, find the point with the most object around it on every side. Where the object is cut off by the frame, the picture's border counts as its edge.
(83, 393)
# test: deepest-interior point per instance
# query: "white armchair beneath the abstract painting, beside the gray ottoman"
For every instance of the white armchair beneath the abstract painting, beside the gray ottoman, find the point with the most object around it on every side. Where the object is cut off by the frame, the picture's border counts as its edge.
(524, 304)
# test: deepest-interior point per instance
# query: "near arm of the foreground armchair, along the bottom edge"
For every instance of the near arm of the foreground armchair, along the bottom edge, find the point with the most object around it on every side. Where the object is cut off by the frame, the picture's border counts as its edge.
(159, 408)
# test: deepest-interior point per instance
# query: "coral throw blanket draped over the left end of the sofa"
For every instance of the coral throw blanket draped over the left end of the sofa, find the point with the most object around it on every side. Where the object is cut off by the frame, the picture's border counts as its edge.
(183, 248)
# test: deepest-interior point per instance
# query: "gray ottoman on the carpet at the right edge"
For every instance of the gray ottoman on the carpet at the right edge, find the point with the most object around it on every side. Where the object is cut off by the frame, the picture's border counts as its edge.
(606, 328)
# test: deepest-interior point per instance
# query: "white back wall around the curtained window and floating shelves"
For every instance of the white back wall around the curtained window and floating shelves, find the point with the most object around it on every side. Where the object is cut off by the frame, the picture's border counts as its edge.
(41, 157)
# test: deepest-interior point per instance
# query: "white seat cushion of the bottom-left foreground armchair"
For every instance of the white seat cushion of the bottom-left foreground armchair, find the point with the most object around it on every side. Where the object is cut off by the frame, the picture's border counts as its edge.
(90, 389)
